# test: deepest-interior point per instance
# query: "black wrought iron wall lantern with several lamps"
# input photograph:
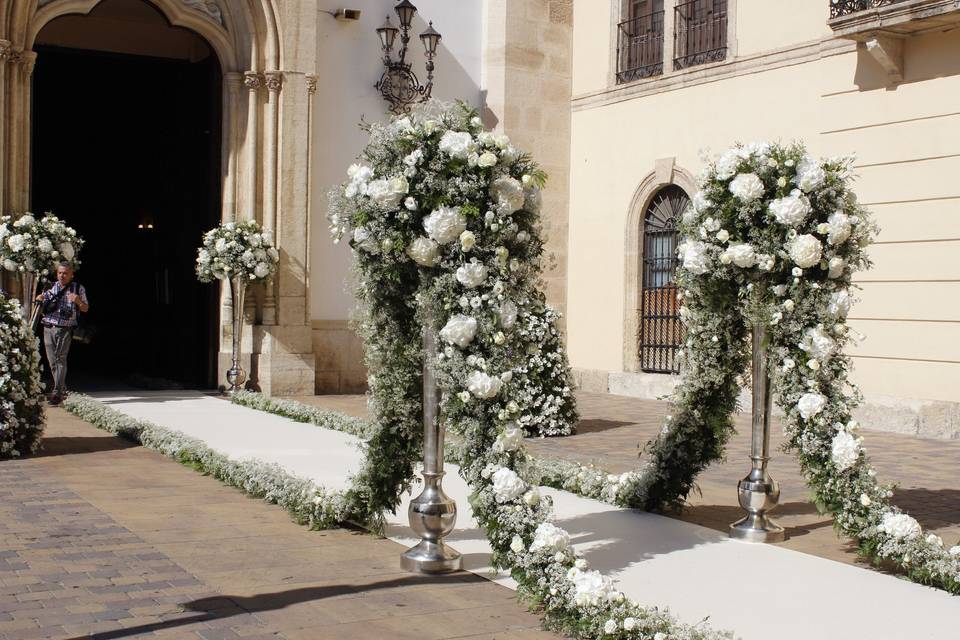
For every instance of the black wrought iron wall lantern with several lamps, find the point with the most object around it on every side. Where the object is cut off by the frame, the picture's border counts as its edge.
(398, 84)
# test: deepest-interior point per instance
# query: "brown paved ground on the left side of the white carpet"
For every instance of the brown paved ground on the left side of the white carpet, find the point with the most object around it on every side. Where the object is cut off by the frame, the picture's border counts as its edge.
(102, 539)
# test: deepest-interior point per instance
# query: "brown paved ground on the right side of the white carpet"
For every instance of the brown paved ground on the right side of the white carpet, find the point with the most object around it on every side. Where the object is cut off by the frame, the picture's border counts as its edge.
(613, 429)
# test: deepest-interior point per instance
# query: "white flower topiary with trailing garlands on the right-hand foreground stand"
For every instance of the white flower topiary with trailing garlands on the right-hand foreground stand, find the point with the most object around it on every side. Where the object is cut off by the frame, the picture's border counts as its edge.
(774, 236)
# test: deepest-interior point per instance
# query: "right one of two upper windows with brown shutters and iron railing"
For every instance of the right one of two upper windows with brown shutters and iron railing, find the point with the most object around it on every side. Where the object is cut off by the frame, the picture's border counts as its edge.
(699, 32)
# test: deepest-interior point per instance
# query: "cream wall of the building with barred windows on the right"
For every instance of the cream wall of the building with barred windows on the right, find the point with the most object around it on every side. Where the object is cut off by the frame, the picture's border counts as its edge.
(907, 140)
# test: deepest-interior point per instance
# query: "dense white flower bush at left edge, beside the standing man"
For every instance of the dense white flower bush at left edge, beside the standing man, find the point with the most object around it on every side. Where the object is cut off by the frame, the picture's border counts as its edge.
(21, 410)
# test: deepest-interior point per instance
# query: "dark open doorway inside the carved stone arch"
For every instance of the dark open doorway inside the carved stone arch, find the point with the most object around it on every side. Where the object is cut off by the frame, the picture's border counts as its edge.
(126, 149)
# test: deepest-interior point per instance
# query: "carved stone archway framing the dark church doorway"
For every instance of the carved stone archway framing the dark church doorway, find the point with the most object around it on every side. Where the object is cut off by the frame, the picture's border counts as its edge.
(267, 99)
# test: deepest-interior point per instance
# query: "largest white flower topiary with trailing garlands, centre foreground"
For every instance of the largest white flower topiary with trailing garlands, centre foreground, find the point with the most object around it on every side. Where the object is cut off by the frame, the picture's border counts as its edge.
(443, 220)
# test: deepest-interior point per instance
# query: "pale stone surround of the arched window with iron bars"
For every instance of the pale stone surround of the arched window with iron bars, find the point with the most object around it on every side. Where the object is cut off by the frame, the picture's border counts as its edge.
(665, 173)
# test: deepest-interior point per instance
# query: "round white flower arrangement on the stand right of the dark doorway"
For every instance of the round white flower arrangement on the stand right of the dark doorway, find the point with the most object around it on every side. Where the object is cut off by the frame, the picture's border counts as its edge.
(237, 249)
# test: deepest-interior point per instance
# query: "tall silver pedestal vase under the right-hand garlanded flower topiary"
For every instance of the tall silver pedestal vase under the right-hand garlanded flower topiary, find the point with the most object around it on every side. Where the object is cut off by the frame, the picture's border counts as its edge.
(758, 492)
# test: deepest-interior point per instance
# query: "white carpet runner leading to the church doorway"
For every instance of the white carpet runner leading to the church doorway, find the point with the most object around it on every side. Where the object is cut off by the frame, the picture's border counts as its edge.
(758, 591)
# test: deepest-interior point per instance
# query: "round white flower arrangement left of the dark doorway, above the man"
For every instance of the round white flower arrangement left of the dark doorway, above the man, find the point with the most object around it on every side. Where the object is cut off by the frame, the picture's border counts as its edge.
(31, 245)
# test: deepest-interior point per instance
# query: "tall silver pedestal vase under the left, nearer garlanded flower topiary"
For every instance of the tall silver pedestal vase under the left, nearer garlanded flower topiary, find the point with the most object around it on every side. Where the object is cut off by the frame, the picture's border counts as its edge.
(433, 513)
